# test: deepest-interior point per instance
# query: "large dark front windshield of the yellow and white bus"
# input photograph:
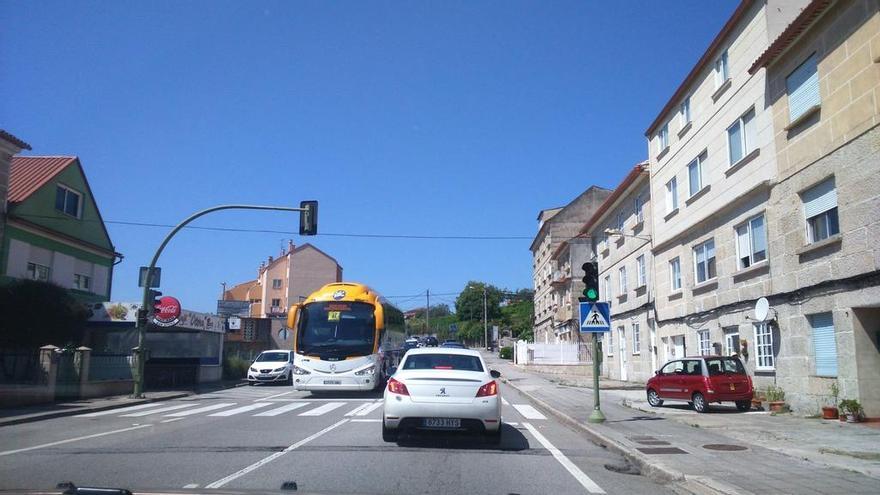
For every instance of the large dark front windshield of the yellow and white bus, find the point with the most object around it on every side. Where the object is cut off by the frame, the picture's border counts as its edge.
(336, 329)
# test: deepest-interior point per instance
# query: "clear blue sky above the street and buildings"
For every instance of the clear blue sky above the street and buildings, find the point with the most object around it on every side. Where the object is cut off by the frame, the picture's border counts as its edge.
(422, 118)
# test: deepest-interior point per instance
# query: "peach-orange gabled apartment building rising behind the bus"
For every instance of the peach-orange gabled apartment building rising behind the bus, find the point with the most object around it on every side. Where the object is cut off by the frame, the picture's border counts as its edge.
(286, 280)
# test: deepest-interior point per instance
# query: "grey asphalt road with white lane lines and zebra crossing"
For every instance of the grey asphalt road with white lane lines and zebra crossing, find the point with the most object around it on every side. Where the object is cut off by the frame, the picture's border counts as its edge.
(261, 437)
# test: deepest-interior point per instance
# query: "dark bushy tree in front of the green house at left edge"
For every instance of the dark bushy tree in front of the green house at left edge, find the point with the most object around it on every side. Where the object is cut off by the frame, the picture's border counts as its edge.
(40, 313)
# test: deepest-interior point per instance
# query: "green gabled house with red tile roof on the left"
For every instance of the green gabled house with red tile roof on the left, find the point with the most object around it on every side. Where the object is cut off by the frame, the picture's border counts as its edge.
(54, 231)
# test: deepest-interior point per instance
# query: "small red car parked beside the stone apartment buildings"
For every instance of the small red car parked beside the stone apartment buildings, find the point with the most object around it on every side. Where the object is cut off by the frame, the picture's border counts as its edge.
(700, 381)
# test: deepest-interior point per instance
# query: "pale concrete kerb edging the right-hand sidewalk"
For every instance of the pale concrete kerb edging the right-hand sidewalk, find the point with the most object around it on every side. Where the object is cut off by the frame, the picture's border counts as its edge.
(649, 468)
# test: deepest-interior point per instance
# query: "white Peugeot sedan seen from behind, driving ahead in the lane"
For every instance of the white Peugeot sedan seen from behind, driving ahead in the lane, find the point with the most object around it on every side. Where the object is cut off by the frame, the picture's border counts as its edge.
(442, 389)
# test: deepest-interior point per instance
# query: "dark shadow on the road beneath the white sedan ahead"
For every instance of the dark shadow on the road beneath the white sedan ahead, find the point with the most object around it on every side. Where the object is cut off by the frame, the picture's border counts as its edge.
(511, 440)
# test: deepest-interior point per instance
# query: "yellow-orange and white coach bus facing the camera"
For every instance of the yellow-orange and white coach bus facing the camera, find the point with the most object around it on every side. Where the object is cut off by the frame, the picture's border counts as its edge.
(345, 337)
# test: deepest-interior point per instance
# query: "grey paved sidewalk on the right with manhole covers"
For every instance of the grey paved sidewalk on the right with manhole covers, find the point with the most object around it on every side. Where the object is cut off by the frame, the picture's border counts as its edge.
(673, 447)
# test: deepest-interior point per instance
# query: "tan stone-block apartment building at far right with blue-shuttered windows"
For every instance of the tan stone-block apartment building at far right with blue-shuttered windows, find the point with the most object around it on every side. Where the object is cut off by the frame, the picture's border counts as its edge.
(823, 92)
